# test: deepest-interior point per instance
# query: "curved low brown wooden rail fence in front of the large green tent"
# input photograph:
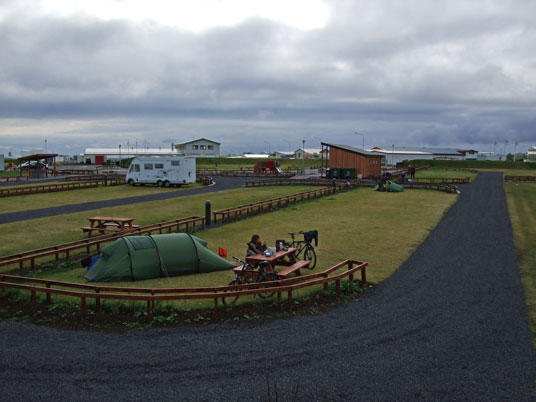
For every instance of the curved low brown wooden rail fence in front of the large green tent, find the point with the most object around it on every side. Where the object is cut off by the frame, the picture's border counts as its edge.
(151, 295)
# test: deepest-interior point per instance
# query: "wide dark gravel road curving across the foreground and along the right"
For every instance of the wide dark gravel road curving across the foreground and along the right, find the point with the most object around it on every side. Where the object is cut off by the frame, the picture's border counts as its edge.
(450, 324)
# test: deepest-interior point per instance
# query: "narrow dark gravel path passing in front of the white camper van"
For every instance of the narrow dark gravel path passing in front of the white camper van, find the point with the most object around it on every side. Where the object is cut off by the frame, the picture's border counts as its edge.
(222, 183)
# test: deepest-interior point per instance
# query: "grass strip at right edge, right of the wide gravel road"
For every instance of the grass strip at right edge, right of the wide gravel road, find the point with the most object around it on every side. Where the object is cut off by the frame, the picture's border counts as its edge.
(522, 207)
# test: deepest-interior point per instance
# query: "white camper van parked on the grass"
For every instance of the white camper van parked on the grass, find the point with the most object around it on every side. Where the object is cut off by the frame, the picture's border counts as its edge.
(162, 171)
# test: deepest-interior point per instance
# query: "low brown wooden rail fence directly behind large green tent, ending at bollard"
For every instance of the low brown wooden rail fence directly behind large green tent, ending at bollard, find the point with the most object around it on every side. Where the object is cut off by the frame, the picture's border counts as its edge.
(187, 224)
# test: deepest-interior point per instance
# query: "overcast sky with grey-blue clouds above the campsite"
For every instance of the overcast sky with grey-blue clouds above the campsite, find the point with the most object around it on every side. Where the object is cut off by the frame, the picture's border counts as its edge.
(259, 75)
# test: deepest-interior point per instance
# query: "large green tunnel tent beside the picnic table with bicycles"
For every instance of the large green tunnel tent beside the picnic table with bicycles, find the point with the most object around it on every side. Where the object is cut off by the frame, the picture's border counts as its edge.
(135, 258)
